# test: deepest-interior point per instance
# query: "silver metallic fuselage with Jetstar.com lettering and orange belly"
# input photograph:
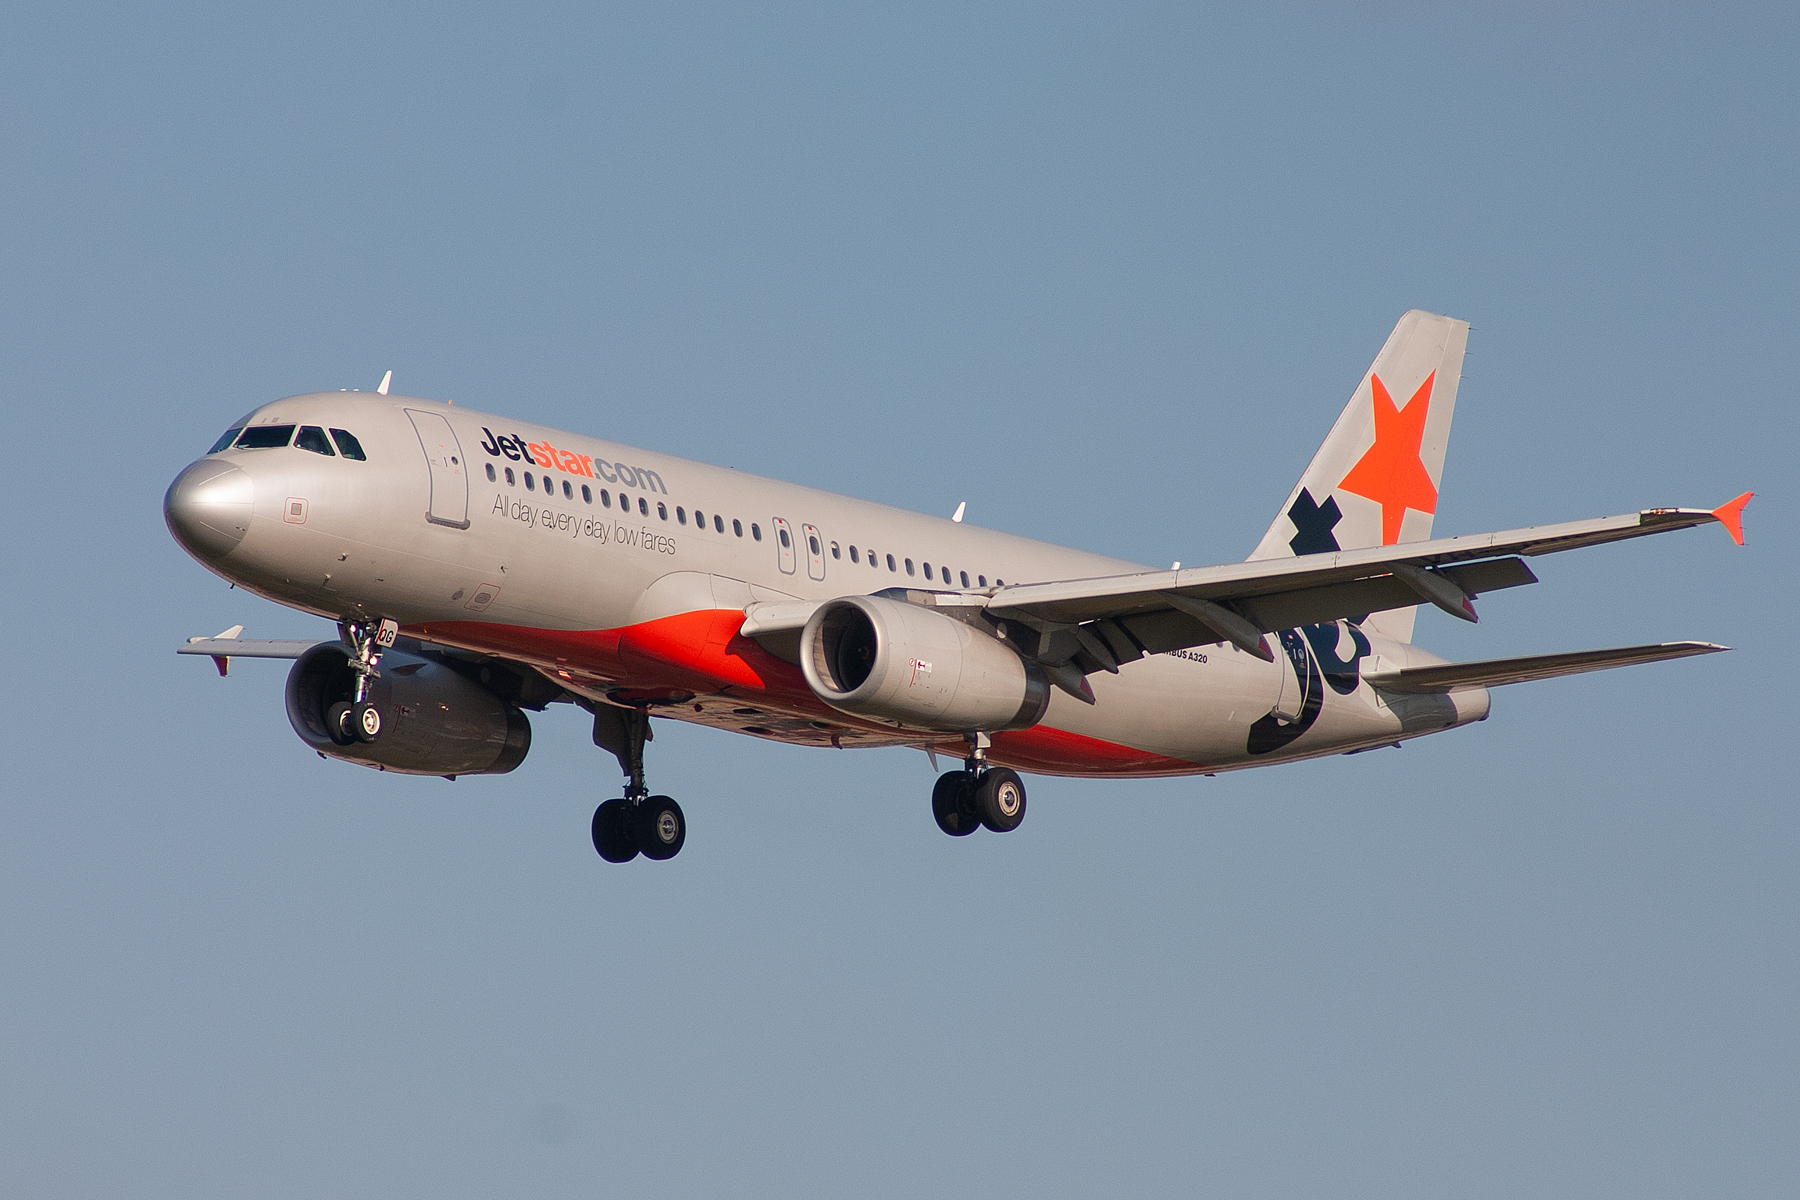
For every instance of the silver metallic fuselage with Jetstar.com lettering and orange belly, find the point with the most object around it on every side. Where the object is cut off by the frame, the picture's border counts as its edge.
(647, 604)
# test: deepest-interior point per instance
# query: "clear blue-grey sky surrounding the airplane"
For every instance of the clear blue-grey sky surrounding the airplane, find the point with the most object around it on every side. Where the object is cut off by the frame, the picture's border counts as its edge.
(1106, 274)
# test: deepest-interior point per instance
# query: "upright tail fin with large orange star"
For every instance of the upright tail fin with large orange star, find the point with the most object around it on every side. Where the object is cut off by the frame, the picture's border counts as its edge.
(1376, 478)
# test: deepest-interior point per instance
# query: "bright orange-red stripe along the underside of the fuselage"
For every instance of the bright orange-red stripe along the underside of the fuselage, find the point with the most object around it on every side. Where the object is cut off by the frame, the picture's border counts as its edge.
(703, 652)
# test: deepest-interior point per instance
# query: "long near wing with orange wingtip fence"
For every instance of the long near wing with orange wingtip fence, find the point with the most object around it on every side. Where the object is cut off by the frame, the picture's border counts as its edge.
(1101, 623)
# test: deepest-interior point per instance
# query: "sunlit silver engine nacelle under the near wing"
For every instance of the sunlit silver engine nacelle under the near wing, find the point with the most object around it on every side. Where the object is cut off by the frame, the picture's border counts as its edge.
(885, 659)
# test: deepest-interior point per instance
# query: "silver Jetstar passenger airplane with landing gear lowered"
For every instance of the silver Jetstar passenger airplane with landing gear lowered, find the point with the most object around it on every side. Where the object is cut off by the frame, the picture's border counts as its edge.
(480, 568)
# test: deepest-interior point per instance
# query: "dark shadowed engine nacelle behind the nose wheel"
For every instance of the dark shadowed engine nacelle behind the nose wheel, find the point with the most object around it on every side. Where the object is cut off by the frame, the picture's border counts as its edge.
(435, 722)
